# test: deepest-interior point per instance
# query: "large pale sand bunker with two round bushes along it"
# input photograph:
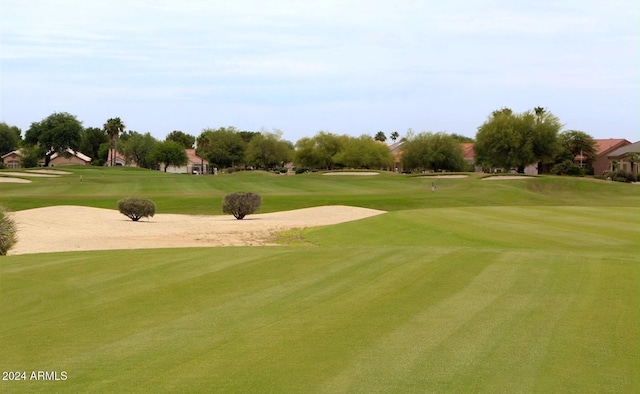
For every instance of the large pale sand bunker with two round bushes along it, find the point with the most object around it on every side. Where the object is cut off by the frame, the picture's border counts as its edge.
(74, 228)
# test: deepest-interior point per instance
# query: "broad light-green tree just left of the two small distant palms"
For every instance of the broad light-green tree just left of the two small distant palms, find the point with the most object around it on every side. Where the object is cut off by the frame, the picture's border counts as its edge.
(363, 152)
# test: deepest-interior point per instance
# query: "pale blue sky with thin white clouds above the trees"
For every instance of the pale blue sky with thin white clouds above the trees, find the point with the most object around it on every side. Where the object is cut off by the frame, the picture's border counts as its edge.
(345, 66)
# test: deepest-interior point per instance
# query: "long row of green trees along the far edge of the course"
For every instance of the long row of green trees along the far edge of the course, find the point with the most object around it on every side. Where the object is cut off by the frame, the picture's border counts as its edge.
(506, 140)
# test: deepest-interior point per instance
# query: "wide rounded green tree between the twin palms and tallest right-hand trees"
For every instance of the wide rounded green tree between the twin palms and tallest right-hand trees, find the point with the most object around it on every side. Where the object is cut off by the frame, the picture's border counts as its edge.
(433, 151)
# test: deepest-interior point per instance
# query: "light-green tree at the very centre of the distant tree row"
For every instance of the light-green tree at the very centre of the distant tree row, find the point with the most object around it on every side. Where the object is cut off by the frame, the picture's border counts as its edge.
(318, 151)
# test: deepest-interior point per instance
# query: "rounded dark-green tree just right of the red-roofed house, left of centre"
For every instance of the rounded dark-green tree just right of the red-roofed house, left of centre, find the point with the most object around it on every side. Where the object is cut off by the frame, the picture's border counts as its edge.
(224, 147)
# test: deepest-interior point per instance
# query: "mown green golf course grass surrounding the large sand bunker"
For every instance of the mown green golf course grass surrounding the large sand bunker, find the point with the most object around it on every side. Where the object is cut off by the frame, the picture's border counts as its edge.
(501, 286)
